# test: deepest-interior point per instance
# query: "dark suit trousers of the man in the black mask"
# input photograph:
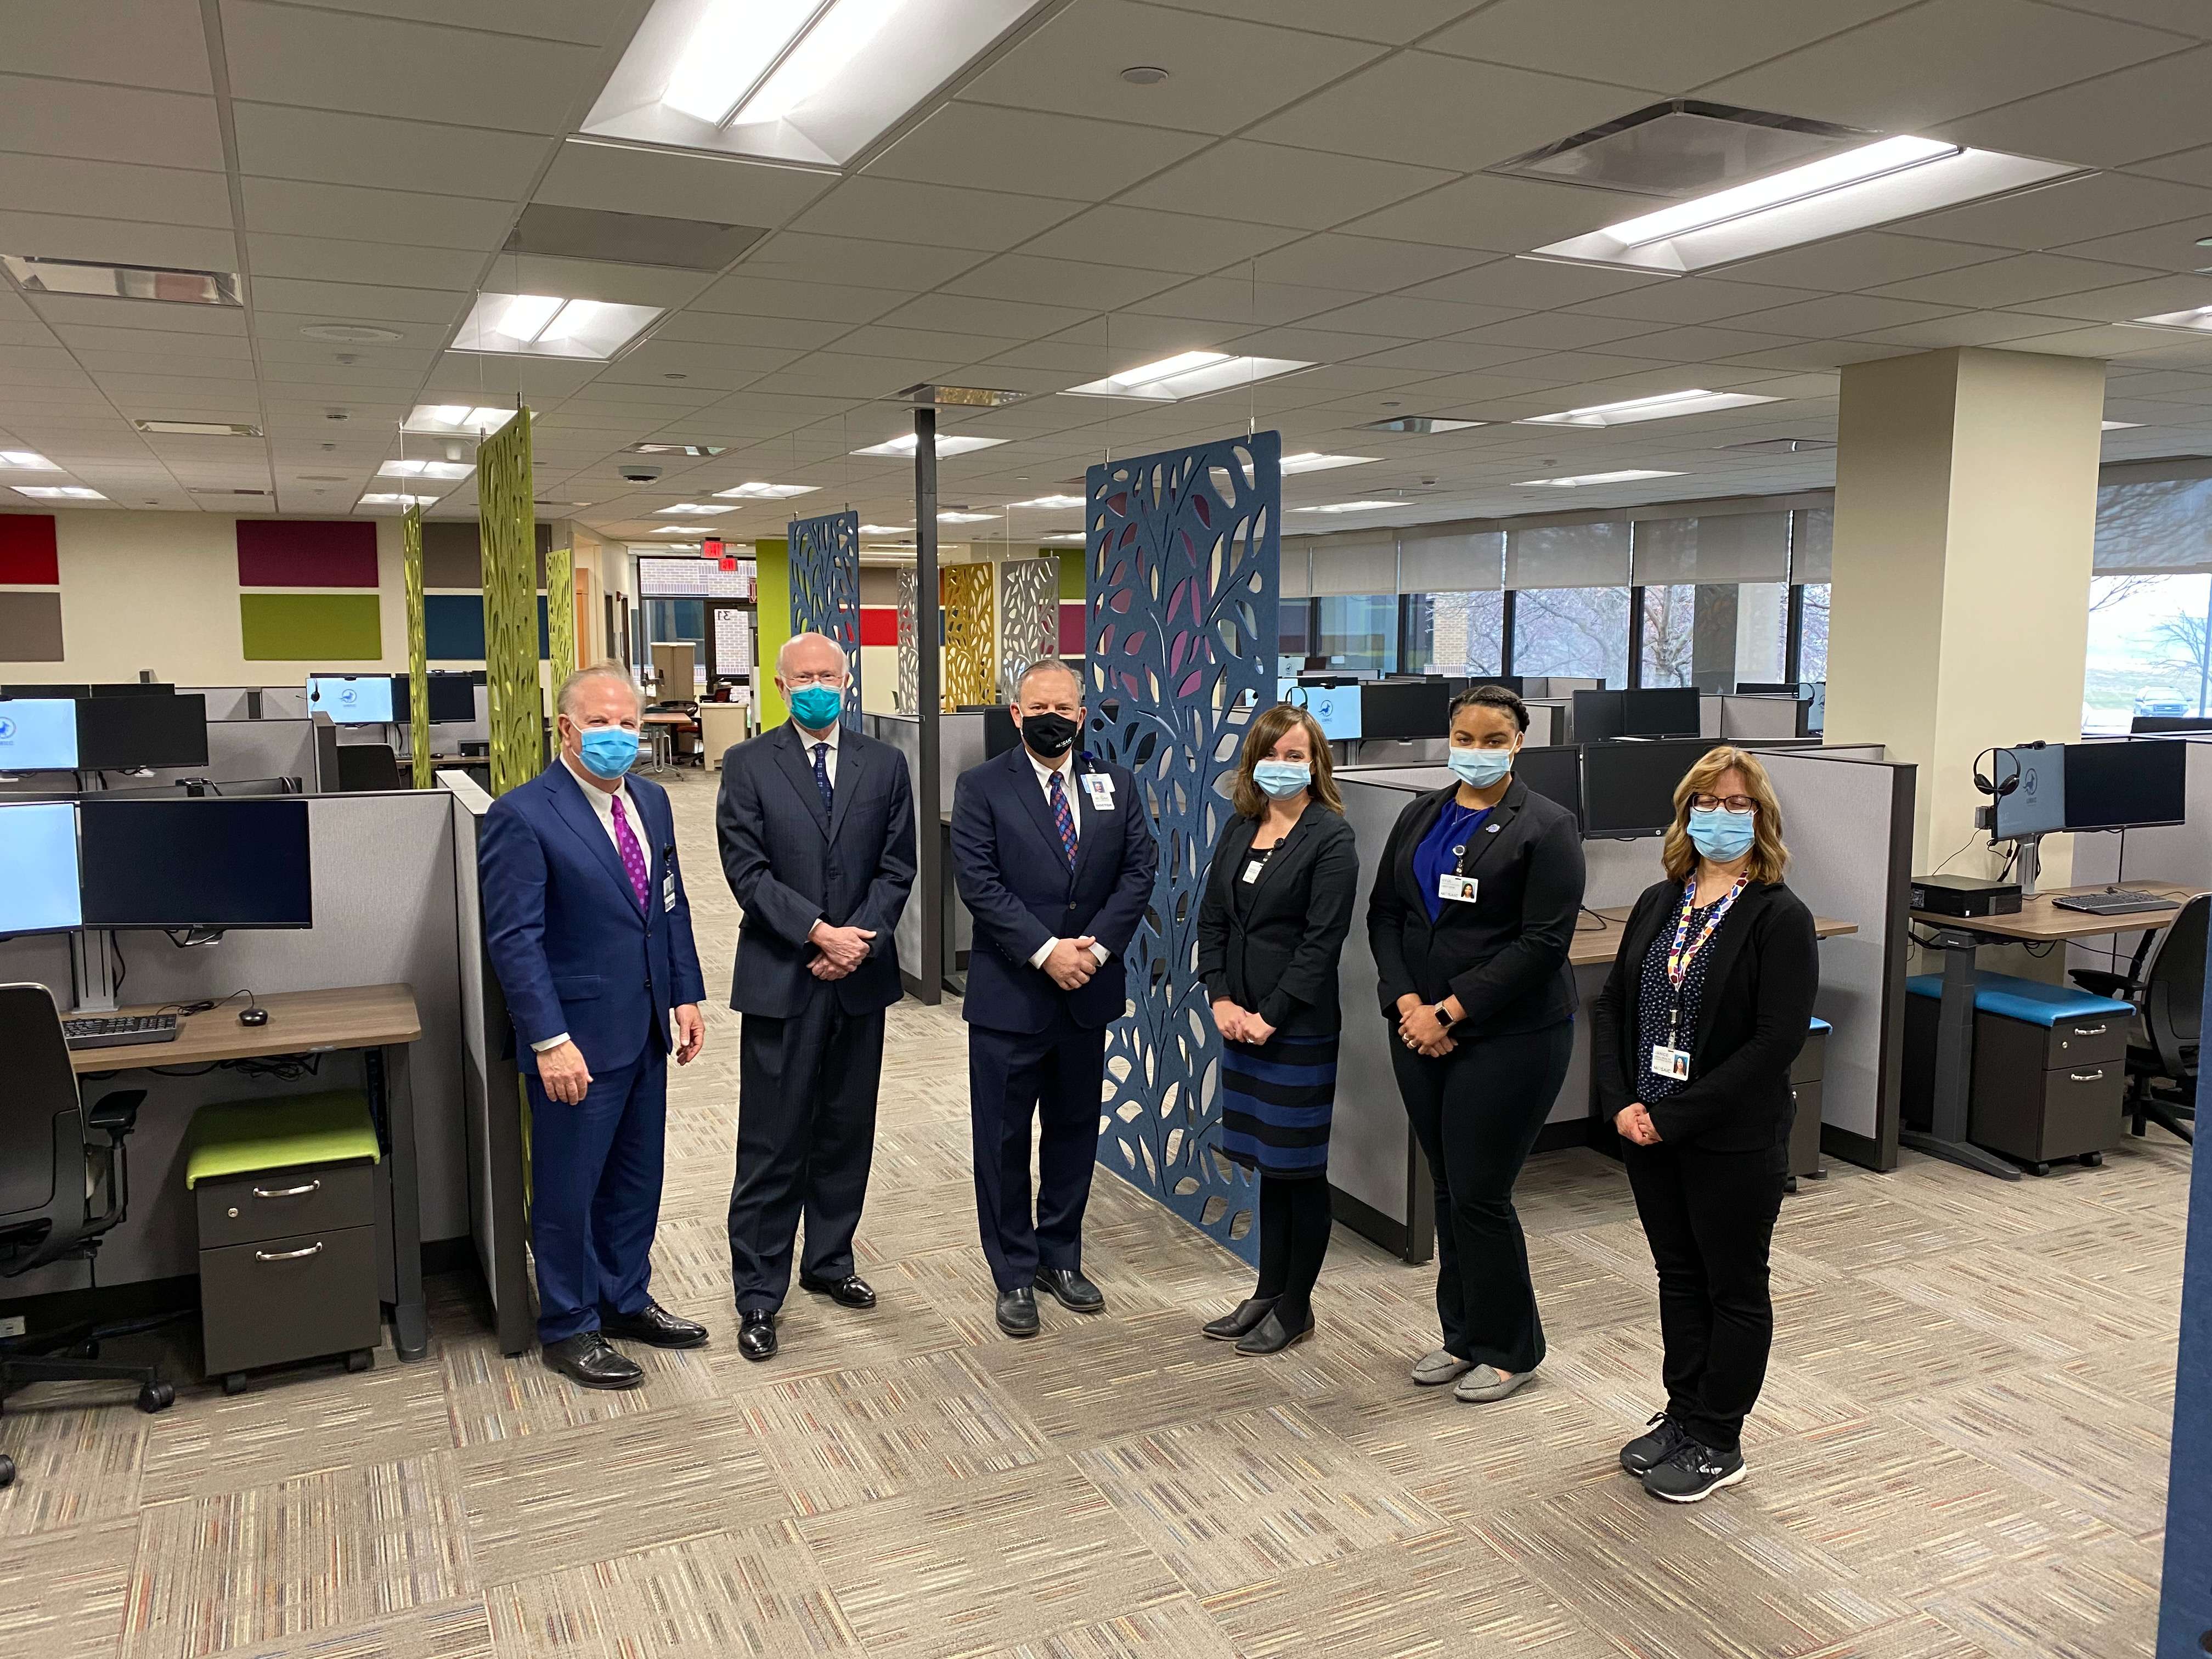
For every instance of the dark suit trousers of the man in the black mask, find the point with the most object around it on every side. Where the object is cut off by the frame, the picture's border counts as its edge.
(1050, 1078)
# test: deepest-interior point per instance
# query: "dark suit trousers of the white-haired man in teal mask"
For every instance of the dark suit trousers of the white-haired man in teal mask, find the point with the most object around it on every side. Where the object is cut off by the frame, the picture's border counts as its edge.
(806, 1131)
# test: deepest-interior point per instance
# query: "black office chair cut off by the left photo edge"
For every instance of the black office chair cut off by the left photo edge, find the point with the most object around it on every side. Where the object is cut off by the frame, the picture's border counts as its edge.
(56, 1156)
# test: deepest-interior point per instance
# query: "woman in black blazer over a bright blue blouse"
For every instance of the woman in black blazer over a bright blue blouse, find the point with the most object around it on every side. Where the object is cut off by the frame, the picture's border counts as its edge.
(1470, 921)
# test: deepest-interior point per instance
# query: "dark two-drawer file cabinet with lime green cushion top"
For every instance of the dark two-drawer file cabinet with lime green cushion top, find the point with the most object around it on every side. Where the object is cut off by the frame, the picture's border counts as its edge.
(286, 1196)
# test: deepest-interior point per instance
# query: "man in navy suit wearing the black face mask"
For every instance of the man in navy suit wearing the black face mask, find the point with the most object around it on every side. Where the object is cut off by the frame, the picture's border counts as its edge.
(1056, 866)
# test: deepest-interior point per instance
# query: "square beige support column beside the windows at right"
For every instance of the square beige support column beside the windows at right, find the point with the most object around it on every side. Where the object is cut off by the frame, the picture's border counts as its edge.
(1965, 519)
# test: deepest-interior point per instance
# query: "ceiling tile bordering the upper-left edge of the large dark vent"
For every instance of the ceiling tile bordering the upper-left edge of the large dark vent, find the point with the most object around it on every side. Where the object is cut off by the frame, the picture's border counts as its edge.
(1446, 112)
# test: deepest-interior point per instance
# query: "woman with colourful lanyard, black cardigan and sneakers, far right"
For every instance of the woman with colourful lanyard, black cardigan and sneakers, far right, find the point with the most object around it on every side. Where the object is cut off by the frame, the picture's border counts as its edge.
(1691, 1045)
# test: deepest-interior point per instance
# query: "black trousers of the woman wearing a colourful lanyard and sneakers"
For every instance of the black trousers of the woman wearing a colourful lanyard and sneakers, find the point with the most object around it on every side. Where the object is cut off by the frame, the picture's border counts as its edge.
(1709, 1220)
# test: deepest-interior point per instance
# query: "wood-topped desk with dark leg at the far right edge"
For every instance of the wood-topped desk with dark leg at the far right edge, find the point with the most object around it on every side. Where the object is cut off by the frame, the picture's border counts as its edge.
(1959, 937)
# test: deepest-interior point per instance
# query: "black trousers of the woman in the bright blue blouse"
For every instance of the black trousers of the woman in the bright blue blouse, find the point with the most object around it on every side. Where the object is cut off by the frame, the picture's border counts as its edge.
(1477, 1114)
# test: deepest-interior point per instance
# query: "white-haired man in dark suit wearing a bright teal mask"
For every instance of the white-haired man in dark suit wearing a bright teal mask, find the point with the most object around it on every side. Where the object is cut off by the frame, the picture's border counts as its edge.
(817, 839)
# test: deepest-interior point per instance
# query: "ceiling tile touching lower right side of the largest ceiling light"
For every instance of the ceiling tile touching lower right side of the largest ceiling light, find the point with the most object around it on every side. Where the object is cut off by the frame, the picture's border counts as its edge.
(1034, 154)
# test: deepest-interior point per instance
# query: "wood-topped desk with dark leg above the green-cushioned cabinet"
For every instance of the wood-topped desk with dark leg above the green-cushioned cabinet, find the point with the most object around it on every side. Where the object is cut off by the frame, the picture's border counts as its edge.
(377, 1019)
